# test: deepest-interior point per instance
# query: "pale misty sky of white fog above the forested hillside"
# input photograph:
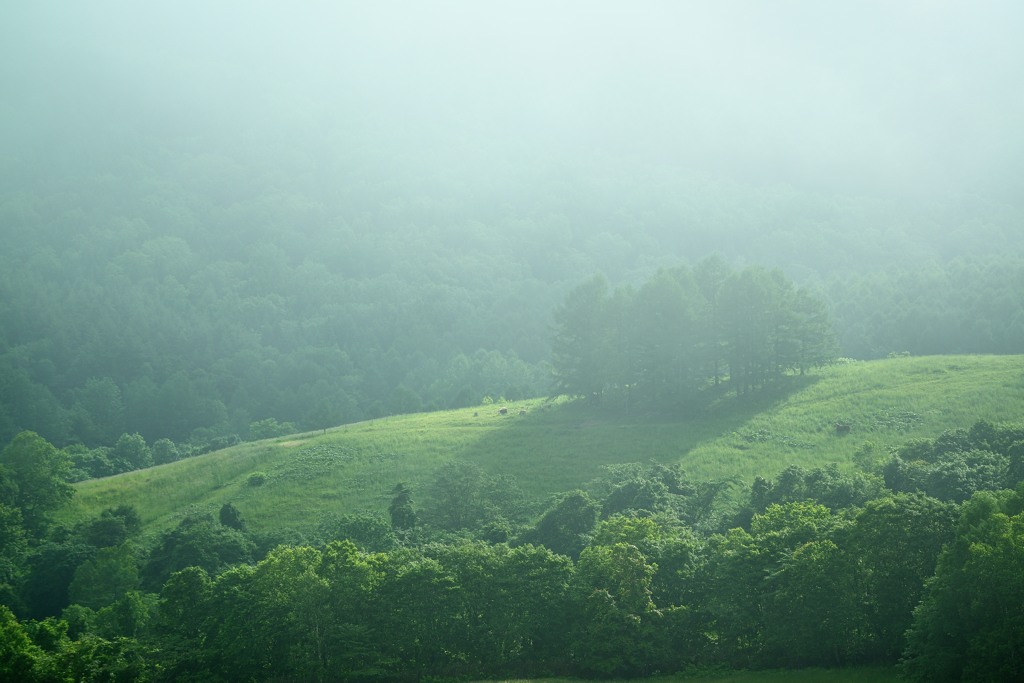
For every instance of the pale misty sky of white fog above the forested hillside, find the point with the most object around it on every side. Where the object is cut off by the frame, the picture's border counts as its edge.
(879, 96)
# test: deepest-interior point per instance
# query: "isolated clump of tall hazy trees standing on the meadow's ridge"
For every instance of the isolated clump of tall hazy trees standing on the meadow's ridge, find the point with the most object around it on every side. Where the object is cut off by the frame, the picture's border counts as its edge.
(686, 329)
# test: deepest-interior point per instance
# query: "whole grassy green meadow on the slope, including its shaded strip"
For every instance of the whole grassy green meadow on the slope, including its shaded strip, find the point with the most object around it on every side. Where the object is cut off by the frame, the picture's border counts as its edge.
(559, 446)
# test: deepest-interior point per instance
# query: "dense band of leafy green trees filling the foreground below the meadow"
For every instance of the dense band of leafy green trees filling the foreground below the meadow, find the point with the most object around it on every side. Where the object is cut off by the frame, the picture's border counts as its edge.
(645, 572)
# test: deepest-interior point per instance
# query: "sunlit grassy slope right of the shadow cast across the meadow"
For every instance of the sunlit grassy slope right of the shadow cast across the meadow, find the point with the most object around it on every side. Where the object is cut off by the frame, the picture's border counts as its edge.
(883, 403)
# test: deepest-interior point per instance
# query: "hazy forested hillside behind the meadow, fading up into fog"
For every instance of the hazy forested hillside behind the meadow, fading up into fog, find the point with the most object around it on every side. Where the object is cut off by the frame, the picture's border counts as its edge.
(179, 293)
